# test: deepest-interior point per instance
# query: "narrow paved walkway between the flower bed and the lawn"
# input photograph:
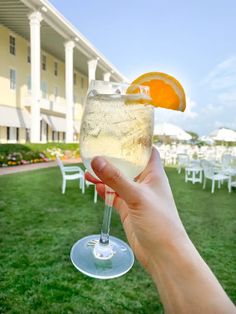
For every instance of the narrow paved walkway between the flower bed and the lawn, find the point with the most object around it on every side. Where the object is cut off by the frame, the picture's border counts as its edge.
(10, 170)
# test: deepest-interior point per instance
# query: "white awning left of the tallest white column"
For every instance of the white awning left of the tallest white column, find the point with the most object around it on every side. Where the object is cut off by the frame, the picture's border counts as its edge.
(14, 117)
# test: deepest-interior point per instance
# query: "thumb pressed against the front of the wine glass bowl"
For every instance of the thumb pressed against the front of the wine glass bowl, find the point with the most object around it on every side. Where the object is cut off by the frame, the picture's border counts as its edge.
(112, 177)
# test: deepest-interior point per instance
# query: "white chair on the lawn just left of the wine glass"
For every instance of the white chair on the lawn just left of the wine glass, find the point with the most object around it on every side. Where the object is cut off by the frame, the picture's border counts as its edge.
(70, 173)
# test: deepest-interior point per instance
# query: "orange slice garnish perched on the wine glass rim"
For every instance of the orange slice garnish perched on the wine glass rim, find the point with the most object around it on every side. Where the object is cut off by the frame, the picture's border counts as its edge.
(165, 90)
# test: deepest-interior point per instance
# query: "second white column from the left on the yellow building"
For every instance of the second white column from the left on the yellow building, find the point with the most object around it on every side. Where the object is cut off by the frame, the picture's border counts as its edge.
(69, 48)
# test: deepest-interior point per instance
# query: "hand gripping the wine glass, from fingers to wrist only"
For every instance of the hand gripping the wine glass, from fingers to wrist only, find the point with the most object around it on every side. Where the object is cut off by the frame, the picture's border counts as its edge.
(146, 207)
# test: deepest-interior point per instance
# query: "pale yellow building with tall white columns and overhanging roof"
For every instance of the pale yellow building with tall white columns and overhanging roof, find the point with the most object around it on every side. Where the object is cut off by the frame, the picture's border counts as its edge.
(45, 69)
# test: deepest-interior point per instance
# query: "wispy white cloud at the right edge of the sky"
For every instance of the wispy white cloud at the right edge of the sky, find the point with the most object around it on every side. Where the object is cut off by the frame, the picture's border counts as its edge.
(219, 86)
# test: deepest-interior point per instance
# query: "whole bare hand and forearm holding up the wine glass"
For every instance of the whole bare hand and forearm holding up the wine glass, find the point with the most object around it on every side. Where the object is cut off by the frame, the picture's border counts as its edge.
(159, 240)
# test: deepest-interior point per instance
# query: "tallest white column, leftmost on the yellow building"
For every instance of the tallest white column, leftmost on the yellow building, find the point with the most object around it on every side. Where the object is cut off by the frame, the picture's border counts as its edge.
(35, 19)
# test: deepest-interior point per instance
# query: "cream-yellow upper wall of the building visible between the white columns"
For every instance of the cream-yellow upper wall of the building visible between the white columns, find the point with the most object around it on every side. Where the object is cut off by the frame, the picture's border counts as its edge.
(19, 63)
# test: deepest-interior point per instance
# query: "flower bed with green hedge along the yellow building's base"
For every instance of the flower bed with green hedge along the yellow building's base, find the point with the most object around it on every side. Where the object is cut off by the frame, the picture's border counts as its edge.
(17, 154)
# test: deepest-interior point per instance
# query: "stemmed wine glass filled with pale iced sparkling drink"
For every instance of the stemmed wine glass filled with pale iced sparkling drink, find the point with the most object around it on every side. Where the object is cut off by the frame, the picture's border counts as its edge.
(117, 125)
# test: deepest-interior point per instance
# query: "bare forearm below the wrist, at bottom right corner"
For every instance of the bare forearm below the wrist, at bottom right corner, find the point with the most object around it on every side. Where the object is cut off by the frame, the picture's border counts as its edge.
(185, 283)
